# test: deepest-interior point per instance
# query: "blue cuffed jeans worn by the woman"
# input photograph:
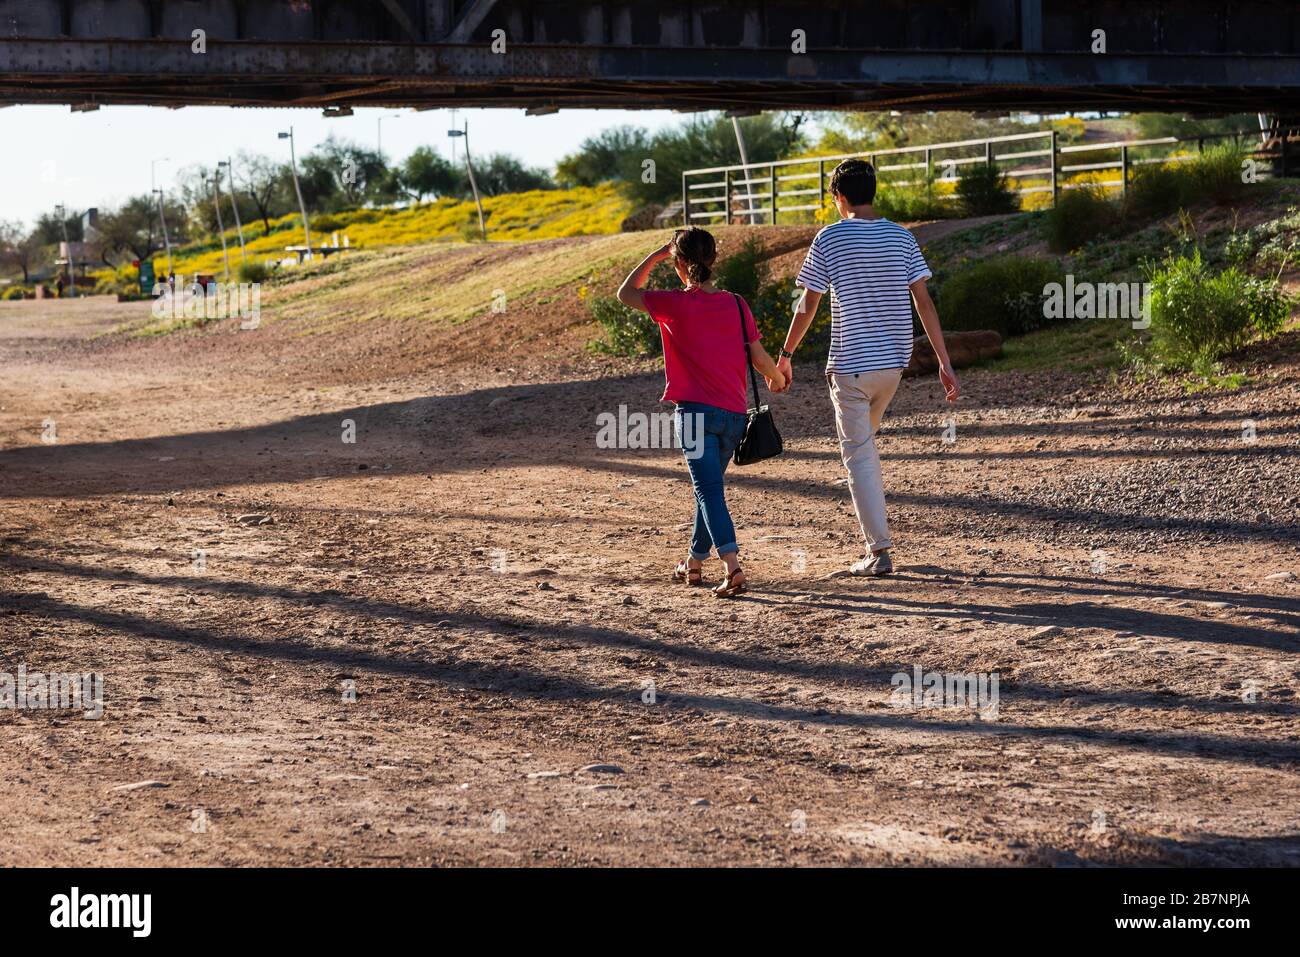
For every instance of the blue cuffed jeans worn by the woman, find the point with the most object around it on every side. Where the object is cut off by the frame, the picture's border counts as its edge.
(708, 443)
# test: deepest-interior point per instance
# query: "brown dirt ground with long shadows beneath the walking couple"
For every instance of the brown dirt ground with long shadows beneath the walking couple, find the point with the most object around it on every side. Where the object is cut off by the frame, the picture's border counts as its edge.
(495, 588)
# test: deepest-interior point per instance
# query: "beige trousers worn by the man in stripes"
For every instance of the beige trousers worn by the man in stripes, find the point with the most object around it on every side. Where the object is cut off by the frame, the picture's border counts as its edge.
(860, 405)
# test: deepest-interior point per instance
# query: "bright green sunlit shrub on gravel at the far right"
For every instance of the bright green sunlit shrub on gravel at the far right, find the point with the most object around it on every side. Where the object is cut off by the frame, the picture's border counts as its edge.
(1198, 317)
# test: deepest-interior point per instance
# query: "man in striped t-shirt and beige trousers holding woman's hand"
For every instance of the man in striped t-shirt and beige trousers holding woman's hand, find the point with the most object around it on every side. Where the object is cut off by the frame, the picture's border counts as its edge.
(874, 271)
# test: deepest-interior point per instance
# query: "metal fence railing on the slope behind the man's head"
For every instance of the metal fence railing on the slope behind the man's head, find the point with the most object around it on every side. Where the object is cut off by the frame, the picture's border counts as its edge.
(1034, 163)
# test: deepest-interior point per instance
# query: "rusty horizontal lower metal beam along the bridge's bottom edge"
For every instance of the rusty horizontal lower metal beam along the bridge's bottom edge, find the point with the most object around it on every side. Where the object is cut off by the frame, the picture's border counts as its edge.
(391, 75)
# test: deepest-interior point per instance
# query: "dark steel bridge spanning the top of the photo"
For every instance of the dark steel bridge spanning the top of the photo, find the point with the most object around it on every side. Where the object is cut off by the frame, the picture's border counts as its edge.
(989, 55)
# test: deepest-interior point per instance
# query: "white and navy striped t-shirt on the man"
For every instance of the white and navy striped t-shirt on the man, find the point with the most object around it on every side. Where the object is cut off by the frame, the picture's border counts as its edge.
(868, 266)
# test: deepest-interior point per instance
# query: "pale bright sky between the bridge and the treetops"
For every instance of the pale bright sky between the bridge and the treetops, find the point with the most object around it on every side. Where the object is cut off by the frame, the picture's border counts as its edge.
(51, 155)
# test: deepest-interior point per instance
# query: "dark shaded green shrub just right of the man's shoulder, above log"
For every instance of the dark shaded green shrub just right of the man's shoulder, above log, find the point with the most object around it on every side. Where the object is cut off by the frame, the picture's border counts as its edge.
(1003, 293)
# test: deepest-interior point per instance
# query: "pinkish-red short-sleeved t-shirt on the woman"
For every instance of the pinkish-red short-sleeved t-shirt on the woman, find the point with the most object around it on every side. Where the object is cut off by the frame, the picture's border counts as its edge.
(704, 358)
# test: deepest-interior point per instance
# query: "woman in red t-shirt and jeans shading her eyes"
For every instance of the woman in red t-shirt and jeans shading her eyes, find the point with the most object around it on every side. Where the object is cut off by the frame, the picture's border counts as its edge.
(708, 348)
